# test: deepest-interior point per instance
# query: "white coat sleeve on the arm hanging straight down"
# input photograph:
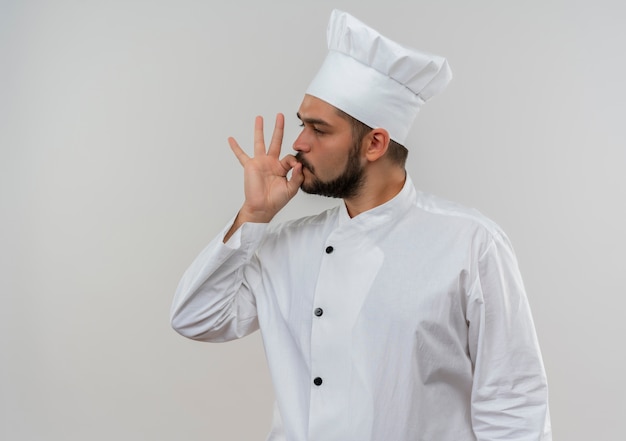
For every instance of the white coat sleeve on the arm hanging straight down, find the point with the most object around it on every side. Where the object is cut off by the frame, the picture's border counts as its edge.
(509, 394)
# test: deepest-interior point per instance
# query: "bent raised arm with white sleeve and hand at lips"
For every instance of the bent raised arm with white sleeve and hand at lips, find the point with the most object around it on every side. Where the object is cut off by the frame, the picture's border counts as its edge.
(215, 298)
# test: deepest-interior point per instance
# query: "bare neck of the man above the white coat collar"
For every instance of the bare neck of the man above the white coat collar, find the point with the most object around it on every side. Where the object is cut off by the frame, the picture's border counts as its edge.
(377, 189)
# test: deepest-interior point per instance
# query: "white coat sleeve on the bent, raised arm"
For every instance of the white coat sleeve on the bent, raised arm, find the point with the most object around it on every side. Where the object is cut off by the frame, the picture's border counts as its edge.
(214, 300)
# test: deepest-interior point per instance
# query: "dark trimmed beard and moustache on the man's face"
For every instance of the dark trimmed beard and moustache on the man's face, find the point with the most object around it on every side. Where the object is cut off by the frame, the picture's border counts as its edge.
(346, 185)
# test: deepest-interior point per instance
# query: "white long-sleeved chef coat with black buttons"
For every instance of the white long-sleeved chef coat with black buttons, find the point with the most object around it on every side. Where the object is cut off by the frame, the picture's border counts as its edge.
(407, 322)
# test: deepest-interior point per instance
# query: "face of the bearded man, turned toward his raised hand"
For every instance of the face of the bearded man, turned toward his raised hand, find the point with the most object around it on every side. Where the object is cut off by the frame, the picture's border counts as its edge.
(331, 159)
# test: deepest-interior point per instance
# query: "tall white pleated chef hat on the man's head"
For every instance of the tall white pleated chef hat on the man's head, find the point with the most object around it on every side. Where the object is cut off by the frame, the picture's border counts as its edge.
(374, 79)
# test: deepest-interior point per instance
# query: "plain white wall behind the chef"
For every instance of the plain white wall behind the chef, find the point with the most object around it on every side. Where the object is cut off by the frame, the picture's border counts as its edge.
(115, 172)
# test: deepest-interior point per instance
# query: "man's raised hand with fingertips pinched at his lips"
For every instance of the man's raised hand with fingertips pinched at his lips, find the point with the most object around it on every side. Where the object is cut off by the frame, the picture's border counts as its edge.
(266, 187)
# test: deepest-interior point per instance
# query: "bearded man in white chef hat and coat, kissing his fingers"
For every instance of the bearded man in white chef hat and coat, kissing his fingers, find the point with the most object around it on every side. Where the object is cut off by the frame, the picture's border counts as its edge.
(396, 316)
